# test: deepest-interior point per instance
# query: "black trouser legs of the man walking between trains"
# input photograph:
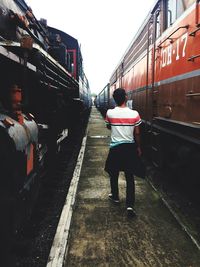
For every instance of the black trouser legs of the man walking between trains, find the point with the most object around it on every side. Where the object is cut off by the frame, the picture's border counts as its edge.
(130, 187)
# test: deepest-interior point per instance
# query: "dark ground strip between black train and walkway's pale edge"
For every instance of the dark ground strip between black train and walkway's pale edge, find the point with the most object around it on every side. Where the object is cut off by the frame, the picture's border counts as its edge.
(34, 242)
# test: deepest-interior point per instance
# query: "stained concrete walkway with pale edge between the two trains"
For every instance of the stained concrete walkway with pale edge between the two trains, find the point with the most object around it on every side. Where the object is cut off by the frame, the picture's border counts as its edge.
(100, 233)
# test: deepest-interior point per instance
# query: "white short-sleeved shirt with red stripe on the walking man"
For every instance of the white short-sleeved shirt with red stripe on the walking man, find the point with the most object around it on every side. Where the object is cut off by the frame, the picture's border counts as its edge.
(122, 121)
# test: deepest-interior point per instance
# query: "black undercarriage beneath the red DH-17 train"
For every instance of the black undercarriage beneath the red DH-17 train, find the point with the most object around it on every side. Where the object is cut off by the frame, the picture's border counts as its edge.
(174, 149)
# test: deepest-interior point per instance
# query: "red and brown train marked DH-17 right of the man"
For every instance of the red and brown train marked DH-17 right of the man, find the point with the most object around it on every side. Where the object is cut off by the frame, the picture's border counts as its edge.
(160, 72)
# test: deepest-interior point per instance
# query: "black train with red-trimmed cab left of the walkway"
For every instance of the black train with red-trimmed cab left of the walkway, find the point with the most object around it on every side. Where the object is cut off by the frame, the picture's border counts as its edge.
(40, 100)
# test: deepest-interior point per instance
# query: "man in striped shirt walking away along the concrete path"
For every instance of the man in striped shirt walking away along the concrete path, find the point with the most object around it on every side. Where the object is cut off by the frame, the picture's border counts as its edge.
(125, 151)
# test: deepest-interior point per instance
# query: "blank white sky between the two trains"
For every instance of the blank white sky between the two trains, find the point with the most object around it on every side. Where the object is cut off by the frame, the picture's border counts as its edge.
(104, 28)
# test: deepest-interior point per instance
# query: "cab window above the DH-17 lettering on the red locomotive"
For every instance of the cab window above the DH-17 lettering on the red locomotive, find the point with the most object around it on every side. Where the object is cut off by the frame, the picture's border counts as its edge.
(175, 8)
